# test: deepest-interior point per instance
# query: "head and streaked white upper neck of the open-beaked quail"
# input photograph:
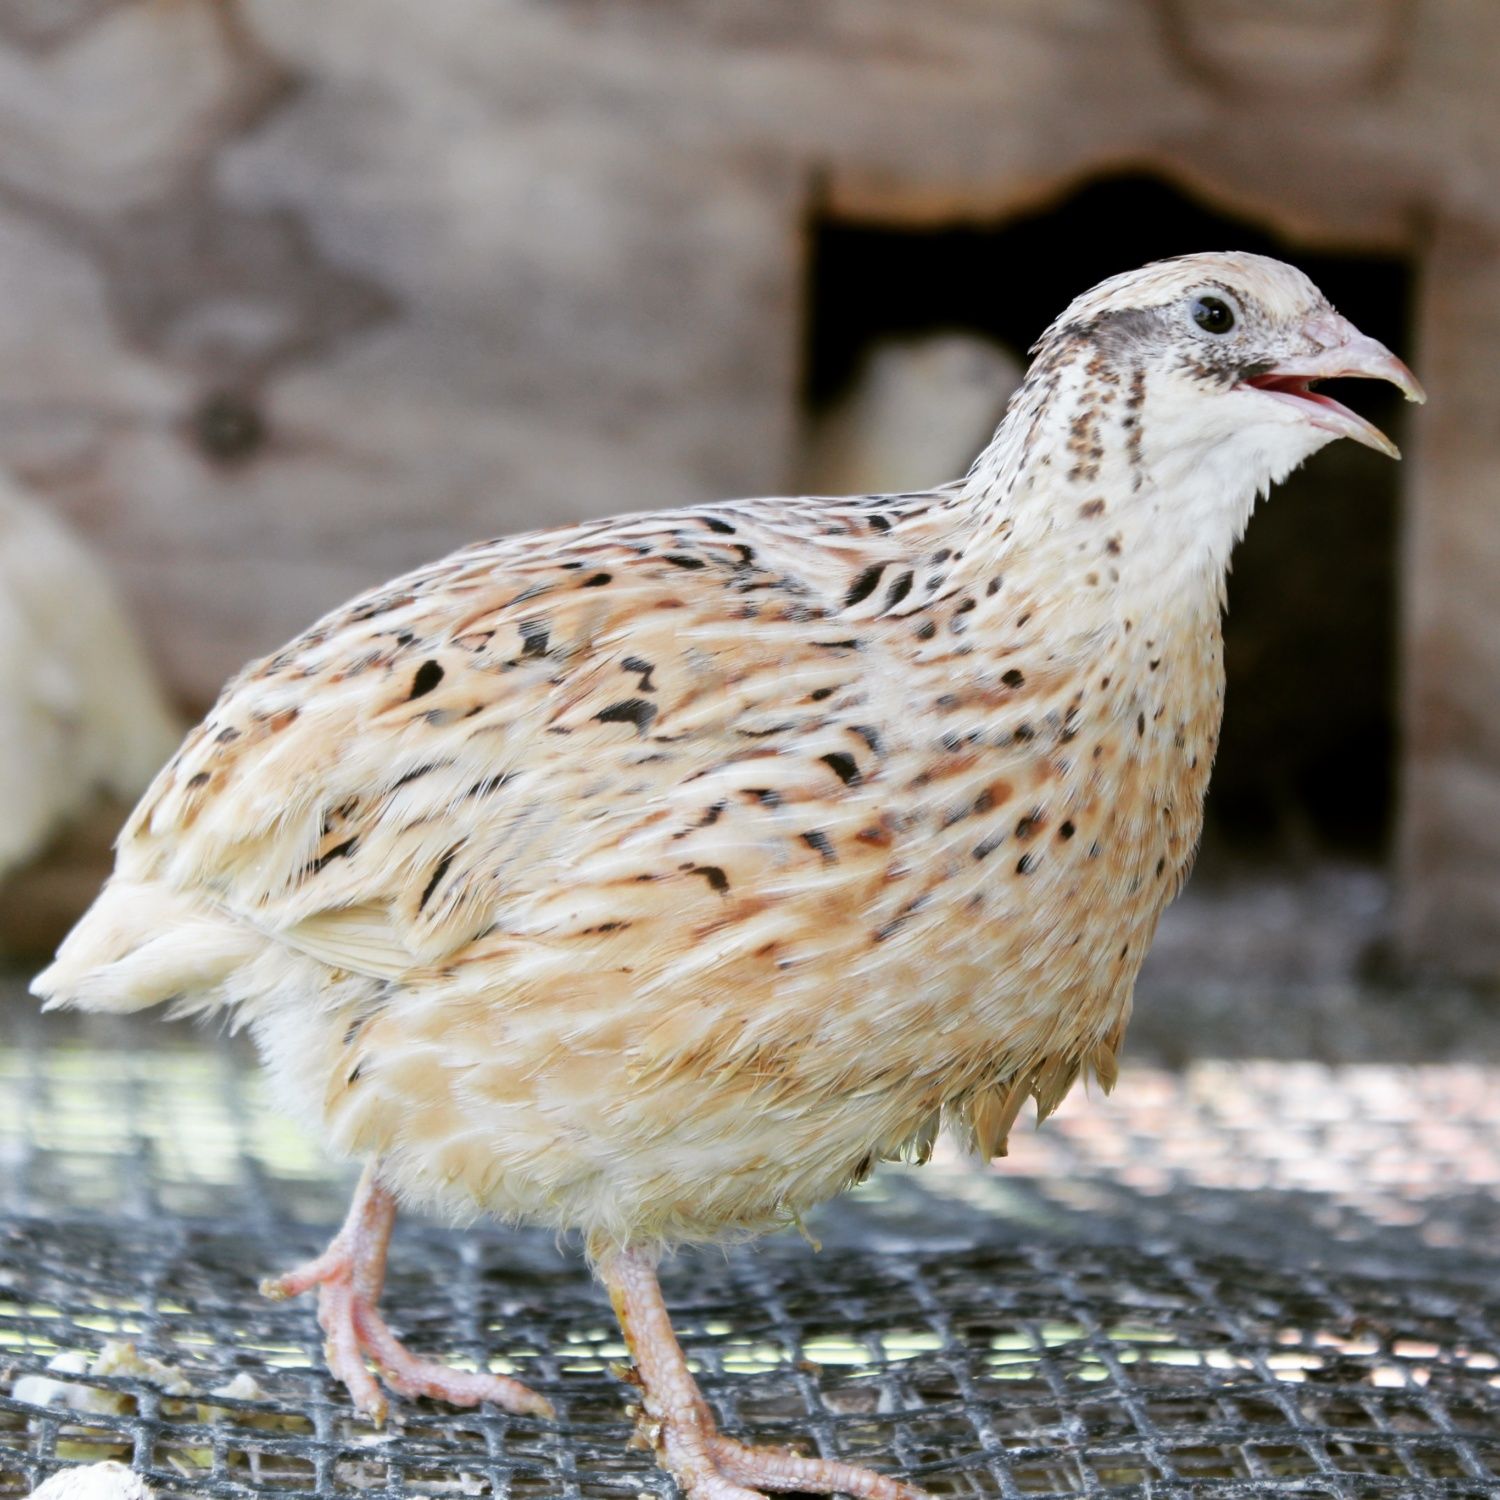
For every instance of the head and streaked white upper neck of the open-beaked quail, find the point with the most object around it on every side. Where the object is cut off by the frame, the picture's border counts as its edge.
(1174, 397)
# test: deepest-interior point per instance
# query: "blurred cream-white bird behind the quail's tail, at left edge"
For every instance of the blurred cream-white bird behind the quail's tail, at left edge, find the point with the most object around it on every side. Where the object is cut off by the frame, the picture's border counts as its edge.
(80, 712)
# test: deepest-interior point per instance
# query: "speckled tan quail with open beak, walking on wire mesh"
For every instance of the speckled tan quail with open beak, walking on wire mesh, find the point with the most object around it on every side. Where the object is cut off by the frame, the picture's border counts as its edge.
(658, 877)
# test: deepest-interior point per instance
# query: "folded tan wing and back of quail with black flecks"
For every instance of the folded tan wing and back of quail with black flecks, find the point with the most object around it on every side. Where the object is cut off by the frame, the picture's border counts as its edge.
(533, 734)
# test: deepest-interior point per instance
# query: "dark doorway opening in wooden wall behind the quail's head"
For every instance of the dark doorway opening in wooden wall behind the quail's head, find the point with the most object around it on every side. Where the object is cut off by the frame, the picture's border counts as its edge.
(1307, 764)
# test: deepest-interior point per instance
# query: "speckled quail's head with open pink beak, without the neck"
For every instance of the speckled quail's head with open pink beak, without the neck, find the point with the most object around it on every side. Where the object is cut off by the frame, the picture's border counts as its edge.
(1222, 355)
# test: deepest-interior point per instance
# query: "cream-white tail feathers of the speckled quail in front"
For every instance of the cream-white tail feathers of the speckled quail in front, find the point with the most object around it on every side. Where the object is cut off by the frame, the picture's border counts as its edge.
(142, 944)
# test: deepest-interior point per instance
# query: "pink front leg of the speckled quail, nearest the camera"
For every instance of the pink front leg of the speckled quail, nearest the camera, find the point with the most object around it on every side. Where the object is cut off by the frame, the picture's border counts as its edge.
(680, 1427)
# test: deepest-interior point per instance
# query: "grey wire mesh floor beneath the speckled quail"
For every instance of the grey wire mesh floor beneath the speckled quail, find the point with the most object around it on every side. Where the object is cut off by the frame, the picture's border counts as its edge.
(1234, 1280)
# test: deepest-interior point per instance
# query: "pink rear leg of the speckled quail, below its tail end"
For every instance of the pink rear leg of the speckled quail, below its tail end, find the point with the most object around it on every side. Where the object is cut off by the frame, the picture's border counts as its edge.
(349, 1277)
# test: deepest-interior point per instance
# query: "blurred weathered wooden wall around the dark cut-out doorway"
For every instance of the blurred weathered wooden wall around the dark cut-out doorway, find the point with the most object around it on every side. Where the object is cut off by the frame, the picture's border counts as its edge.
(298, 293)
